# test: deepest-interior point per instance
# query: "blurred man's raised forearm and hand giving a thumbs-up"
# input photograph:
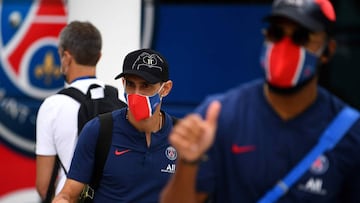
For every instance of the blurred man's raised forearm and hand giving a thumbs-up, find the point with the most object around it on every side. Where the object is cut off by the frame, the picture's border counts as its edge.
(191, 137)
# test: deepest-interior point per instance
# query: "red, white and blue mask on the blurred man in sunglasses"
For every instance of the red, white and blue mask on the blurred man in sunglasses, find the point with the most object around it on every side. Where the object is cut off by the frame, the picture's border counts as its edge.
(287, 65)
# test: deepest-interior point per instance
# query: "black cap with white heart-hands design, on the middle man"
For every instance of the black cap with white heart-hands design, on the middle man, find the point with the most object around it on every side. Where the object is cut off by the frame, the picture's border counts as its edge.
(147, 64)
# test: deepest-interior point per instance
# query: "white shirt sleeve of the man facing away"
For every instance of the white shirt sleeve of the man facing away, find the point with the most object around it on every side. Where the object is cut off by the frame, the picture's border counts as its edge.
(56, 127)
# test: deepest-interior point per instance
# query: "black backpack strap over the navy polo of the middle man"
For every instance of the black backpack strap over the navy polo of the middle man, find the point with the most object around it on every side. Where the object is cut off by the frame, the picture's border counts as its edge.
(102, 148)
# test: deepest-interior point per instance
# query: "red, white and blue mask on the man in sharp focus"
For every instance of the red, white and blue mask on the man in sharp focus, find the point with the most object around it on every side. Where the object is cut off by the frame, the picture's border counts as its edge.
(141, 106)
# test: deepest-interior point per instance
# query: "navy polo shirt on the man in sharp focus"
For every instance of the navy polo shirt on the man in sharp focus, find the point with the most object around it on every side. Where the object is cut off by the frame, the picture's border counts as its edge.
(133, 171)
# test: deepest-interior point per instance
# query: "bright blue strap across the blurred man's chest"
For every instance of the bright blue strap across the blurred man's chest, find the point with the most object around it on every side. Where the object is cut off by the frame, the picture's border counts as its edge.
(334, 132)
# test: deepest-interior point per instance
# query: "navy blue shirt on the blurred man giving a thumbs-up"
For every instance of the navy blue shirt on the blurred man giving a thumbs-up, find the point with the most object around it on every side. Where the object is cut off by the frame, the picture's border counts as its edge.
(254, 148)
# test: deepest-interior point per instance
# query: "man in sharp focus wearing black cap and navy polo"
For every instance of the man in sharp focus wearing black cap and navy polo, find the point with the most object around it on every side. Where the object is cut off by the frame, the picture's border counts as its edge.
(140, 158)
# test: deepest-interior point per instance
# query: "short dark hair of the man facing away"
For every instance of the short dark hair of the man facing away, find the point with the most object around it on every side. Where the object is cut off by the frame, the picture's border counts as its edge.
(83, 41)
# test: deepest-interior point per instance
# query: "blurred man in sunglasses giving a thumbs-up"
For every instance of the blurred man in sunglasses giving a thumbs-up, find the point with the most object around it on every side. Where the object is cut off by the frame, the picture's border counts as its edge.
(273, 140)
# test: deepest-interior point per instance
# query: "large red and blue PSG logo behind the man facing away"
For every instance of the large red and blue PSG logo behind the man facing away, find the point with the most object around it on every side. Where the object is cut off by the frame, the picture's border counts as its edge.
(29, 72)
